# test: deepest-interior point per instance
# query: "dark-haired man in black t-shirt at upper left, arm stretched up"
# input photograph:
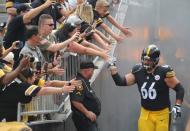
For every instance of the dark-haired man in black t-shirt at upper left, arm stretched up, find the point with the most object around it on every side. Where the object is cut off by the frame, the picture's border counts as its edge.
(17, 26)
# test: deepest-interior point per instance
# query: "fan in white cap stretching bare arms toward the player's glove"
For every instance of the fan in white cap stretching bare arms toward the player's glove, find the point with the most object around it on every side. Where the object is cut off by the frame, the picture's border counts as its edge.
(71, 28)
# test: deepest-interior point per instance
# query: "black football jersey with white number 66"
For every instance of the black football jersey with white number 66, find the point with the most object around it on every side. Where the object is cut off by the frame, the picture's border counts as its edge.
(152, 87)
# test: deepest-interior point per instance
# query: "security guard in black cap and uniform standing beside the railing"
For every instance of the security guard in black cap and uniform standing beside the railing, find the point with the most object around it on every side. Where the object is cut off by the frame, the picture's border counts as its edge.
(86, 106)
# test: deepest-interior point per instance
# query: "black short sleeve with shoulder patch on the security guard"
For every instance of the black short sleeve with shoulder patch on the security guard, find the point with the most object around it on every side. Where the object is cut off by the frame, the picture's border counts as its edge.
(77, 94)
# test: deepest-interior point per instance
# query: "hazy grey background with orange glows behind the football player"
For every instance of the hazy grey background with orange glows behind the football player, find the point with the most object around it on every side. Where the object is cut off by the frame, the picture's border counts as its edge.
(161, 22)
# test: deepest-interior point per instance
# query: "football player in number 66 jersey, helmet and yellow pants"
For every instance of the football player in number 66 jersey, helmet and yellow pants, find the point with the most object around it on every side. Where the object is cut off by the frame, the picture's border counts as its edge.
(153, 83)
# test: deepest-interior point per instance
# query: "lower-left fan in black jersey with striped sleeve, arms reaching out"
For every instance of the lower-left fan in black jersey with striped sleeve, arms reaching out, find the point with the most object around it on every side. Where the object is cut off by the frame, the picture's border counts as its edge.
(22, 89)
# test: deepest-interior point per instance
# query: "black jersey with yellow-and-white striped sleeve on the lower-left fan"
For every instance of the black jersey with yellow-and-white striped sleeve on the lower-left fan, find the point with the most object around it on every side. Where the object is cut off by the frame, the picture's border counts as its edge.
(13, 93)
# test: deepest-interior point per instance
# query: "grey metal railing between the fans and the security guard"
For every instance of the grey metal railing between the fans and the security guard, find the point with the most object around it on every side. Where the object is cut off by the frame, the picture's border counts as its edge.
(52, 108)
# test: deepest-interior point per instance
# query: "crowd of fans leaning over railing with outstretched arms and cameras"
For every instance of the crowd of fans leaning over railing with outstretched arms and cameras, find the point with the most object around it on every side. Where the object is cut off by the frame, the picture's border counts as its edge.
(34, 38)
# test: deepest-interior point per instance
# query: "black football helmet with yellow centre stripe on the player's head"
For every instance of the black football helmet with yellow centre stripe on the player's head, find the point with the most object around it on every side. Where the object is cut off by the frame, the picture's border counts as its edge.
(151, 53)
